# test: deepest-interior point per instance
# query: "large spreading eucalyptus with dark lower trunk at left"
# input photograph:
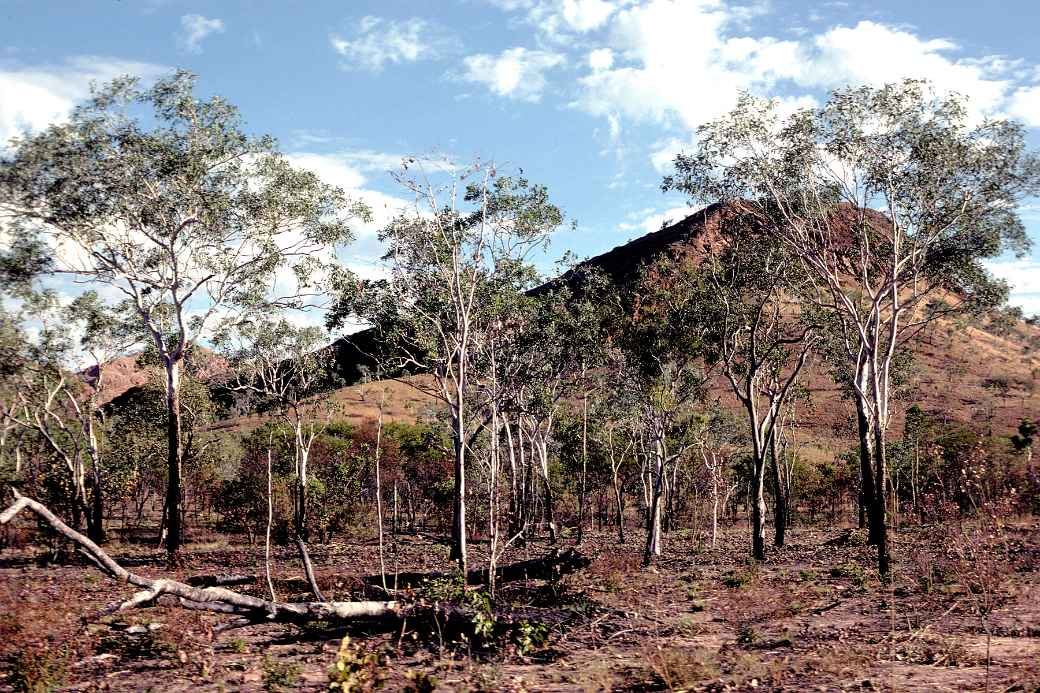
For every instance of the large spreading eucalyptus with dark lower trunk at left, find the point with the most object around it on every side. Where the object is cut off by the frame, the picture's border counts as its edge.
(165, 198)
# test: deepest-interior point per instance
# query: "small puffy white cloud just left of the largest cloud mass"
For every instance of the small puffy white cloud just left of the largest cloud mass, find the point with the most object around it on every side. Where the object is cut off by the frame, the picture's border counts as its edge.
(516, 73)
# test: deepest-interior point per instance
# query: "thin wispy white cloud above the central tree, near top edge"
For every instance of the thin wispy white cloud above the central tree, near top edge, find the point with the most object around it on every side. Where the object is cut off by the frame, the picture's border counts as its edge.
(378, 42)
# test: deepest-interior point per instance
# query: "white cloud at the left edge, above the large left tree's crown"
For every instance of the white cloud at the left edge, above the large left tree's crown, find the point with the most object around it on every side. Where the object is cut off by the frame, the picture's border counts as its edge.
(32, 98)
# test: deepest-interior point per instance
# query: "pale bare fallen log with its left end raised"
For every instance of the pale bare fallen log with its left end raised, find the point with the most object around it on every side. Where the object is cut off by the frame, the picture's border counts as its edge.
(250, 609)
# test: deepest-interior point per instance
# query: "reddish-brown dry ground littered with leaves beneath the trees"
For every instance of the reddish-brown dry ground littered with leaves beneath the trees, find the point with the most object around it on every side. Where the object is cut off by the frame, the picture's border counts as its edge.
(814, 618)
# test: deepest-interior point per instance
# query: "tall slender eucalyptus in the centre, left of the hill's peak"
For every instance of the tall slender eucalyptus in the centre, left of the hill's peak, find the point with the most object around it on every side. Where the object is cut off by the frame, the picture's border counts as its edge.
(450, 253)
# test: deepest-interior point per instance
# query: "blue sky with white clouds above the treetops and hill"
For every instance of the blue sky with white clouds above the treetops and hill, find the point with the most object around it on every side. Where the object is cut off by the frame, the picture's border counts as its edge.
(592, 98)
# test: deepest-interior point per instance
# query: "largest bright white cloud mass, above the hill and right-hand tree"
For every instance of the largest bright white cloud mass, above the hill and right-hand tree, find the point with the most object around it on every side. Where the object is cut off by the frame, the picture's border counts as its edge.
(681, 64)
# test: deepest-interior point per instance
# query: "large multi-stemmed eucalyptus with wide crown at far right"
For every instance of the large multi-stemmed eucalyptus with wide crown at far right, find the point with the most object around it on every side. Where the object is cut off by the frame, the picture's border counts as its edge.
(891, 198)
